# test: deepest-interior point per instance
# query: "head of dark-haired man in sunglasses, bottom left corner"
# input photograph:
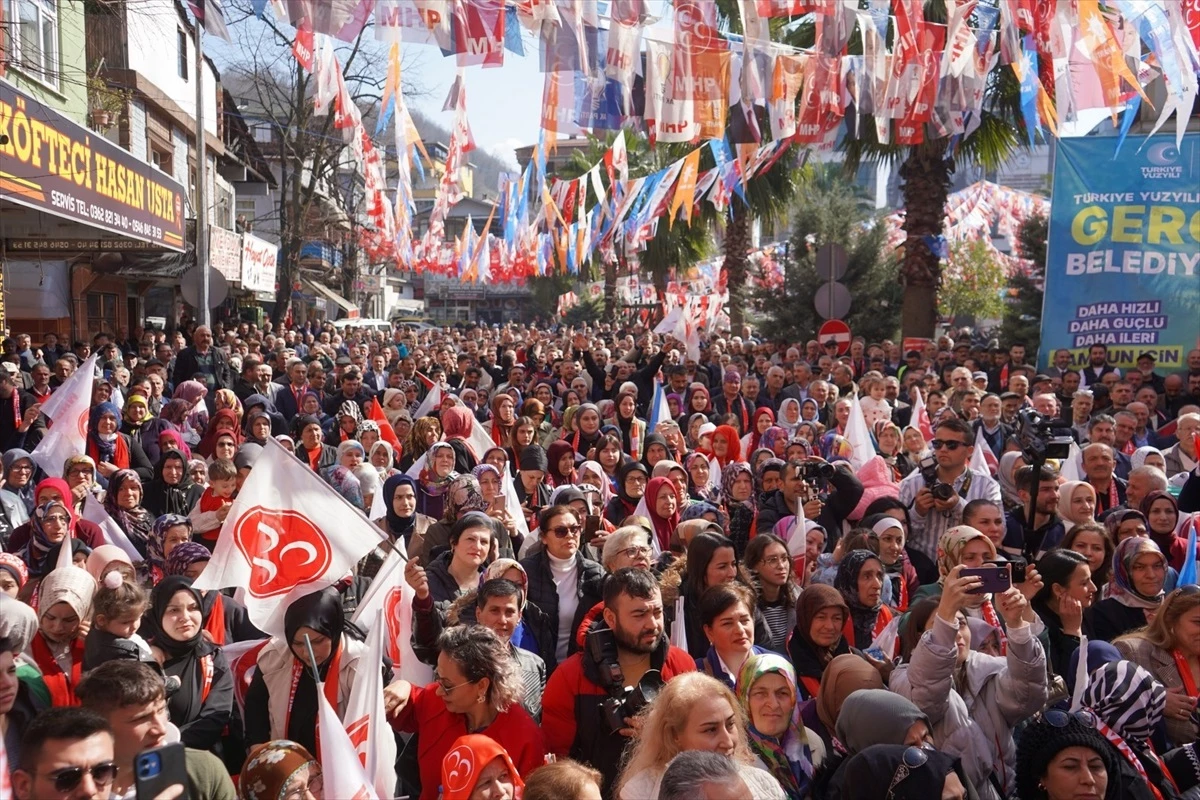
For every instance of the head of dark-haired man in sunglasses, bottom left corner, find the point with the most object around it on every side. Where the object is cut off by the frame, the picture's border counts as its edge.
(67, 753)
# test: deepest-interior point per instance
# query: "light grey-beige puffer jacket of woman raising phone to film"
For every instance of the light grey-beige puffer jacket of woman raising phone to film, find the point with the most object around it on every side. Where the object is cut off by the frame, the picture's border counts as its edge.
(973, 719)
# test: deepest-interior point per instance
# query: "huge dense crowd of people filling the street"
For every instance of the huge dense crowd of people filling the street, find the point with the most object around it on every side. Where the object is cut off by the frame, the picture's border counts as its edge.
(635, 575)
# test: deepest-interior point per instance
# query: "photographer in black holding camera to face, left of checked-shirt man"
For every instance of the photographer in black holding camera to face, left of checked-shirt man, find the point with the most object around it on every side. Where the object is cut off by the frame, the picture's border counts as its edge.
(830, 494)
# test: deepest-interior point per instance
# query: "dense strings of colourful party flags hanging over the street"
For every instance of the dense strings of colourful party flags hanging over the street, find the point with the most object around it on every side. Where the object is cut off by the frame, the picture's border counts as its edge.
(743, 101)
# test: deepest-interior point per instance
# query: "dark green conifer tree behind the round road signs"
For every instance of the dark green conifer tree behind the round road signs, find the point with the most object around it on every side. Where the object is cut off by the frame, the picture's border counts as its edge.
(829, 209)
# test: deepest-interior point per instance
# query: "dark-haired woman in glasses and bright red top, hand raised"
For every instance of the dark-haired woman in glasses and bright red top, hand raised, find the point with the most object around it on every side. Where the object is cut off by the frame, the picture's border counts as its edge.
(477, 691)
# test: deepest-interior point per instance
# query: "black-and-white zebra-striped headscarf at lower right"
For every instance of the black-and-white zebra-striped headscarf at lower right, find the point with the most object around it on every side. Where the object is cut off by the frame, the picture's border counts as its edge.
(1127, 699)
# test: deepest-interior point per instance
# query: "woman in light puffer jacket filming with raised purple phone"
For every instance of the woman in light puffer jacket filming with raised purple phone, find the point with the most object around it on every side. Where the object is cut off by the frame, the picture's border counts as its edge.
(974, 701)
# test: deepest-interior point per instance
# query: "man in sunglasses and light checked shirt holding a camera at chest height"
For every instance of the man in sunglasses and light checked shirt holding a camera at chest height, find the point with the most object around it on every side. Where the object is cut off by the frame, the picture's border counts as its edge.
(941, 488)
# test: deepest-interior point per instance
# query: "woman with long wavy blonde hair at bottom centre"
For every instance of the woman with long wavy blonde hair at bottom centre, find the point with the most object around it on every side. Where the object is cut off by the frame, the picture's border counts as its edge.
(693, 712)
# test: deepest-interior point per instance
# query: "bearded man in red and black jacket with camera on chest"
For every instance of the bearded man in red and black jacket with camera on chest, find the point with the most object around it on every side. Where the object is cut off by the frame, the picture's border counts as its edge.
(592, 699)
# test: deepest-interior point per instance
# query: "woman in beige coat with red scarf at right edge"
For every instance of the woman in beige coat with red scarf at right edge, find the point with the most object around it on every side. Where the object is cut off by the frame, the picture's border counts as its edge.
(1169, 648)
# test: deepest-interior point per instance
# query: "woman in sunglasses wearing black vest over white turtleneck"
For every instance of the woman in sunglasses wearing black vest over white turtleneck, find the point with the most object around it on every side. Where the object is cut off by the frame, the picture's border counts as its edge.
(559, 574)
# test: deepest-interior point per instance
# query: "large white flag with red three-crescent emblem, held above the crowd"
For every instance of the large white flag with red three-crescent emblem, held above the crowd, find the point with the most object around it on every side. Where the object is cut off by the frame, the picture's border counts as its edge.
(289, 534)
